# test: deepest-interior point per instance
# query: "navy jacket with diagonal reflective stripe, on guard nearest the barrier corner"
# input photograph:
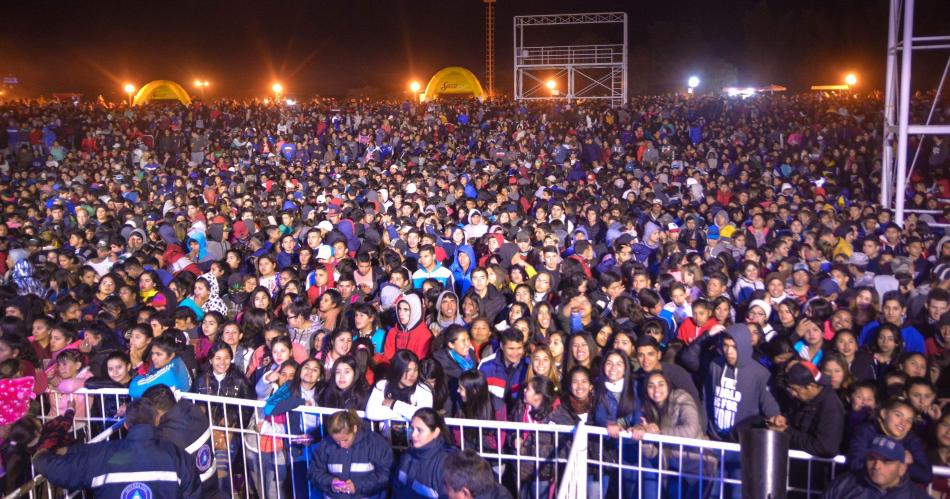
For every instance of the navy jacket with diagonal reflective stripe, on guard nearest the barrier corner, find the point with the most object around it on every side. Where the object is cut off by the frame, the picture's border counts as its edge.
(188, 428)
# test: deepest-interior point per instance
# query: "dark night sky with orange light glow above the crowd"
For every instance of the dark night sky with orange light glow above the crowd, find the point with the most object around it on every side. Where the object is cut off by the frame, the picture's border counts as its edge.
(329, 48)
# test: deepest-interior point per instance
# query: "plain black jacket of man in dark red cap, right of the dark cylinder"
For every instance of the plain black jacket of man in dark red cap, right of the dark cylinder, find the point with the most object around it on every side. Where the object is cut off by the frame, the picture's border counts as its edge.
(817, 426)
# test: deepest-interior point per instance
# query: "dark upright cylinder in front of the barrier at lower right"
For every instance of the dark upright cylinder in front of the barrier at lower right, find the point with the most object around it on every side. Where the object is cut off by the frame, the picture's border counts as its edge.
(764, 455)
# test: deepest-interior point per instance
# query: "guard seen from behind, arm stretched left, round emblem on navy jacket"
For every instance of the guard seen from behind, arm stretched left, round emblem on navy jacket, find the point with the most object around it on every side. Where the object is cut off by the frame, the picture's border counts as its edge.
(140, 466)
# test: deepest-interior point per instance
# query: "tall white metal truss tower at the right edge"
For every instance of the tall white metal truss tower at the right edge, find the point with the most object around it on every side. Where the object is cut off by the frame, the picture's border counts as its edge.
(901, 46)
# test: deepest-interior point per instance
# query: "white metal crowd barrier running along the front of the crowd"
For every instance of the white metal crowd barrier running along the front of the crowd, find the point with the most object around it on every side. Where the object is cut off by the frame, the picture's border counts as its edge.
(257, 457)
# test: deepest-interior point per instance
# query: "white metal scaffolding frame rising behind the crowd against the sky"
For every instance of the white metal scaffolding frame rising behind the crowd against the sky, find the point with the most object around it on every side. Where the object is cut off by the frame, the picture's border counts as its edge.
(591, 72)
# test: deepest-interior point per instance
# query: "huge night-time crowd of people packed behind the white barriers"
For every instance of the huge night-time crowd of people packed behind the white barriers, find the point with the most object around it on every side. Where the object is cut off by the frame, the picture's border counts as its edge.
(691, 267)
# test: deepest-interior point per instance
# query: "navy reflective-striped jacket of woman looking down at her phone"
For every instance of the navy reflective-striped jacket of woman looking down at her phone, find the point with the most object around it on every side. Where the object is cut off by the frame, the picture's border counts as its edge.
(367, 462)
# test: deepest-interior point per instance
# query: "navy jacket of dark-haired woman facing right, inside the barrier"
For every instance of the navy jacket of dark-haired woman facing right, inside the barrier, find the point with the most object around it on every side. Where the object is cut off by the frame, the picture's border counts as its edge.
(420, 471)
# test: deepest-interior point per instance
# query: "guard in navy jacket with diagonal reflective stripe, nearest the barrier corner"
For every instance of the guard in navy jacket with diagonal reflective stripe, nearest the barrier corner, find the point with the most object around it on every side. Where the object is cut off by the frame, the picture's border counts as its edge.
(182, 423)
